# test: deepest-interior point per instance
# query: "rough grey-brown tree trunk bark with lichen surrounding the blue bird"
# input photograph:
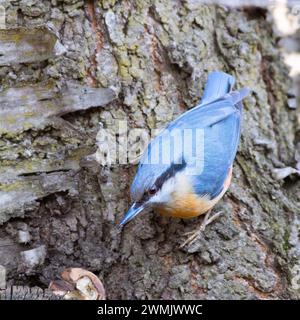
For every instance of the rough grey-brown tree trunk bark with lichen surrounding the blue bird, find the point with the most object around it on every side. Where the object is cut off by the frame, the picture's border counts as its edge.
(68, 65)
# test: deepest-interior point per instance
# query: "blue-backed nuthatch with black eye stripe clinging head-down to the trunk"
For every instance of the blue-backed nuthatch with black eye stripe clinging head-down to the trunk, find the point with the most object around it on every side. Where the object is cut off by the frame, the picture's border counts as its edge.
(187, 168)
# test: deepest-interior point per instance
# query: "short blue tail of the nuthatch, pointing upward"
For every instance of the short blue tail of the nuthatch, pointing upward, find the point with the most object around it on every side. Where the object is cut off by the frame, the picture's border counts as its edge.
(218, 84)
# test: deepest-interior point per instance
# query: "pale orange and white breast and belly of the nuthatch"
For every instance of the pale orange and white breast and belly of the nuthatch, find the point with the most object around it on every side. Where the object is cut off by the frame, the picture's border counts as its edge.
(186, 204)
